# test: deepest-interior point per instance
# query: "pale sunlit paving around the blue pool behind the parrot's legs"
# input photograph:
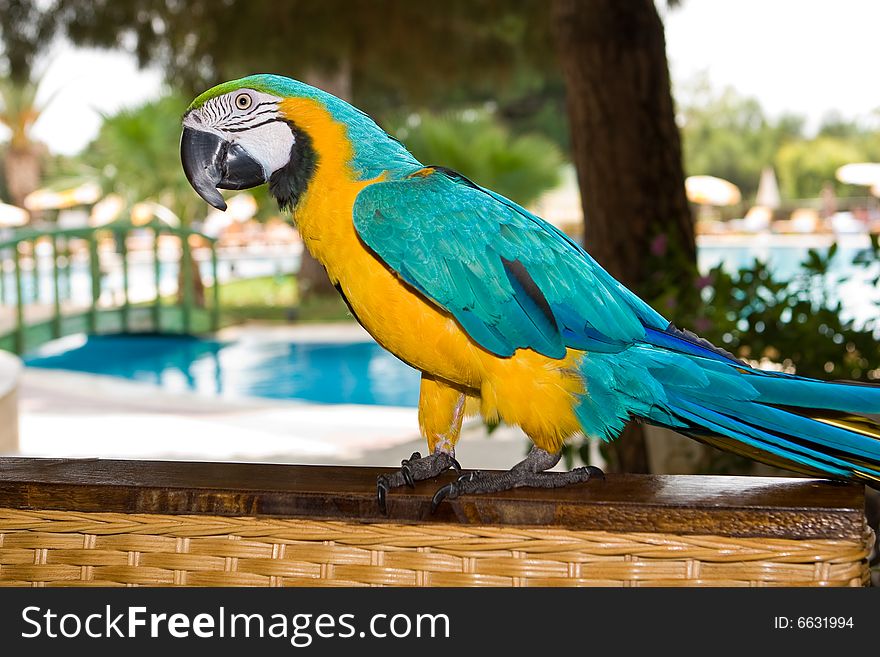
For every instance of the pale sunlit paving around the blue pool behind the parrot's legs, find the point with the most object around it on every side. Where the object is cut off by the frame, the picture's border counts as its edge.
(83, 415)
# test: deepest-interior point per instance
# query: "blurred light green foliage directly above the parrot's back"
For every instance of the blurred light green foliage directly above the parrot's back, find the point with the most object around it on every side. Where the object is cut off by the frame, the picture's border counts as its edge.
(476, 145)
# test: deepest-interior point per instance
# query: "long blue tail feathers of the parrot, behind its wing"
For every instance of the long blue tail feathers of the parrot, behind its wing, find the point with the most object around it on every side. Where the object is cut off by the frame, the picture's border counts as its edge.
(681, 382)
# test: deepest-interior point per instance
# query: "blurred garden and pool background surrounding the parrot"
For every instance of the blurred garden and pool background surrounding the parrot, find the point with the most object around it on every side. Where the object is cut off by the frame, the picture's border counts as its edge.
(722, 159)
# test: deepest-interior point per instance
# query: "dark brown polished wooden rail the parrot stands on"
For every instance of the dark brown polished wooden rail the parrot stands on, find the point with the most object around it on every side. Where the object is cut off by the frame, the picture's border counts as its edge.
(724, 506)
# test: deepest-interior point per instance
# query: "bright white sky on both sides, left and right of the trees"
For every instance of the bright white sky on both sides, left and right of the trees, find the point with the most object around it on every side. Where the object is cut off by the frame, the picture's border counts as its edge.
(803, 56)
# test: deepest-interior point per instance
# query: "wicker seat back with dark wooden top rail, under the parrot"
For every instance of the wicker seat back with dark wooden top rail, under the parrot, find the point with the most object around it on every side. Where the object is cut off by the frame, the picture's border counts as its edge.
(95, 522)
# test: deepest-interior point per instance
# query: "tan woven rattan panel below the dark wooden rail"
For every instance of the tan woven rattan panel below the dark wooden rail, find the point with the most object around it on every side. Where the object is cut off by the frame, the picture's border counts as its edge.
(66, 548)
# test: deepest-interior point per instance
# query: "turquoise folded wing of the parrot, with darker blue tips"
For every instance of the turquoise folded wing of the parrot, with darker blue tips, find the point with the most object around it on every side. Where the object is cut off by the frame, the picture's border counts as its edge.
(511, 280)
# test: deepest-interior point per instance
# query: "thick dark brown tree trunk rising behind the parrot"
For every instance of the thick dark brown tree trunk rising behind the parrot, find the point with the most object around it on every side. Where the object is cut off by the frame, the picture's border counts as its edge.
(626, 149)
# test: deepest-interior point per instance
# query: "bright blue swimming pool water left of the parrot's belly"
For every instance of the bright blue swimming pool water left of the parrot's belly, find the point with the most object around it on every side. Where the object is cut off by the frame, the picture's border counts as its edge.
(328, 373)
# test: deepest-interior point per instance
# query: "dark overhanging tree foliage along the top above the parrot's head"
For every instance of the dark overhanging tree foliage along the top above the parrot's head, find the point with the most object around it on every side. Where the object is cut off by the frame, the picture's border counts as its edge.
(393, 51)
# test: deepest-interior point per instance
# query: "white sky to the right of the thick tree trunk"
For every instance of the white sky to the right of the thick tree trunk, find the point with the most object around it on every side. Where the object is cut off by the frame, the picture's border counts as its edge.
(807, 57)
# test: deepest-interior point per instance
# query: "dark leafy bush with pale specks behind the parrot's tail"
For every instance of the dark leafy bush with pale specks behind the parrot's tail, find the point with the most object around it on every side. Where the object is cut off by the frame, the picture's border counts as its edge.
(797, 323)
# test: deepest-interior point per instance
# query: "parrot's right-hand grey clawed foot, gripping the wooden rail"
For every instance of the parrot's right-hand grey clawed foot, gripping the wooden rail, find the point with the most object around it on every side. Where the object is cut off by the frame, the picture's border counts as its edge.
(526, 473)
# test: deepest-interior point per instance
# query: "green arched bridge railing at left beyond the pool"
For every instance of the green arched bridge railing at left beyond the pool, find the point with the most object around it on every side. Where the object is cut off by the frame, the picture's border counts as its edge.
(28, 320)
